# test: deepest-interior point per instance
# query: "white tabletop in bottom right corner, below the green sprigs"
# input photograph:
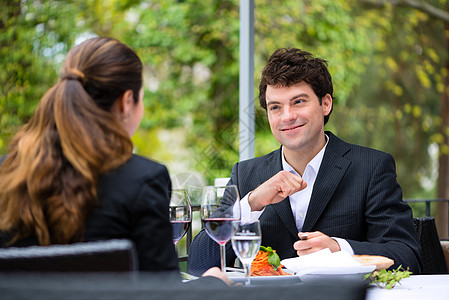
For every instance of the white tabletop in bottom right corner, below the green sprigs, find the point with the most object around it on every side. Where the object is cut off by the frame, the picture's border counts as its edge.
(422, 287)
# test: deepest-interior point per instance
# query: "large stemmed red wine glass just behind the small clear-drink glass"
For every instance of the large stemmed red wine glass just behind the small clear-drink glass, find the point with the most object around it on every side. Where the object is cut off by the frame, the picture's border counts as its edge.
(220, 205)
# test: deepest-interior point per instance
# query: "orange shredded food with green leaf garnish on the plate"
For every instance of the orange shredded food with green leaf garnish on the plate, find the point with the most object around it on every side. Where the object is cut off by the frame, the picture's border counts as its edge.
(267, 263)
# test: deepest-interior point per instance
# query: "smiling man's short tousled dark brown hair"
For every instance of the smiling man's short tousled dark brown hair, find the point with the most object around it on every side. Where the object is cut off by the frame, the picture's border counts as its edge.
(289, 66)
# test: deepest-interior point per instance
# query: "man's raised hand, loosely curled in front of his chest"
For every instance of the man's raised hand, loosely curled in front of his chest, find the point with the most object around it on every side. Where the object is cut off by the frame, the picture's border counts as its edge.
(275, 189)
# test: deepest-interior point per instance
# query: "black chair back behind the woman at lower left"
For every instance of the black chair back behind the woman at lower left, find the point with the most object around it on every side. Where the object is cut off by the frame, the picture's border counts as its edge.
(97, 256)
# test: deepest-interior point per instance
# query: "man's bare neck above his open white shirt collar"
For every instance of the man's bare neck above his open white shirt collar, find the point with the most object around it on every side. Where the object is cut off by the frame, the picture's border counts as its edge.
(298, 159)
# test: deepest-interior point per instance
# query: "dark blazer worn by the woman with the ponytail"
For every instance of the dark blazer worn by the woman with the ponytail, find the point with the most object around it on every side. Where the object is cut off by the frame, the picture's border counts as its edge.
(133, 204)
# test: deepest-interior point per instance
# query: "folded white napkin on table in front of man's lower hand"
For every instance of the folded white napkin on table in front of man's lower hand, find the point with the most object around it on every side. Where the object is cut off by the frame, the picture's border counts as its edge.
(326, 262)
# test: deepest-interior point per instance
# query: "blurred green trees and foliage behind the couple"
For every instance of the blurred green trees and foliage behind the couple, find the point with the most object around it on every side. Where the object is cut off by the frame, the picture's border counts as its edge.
(389, 62)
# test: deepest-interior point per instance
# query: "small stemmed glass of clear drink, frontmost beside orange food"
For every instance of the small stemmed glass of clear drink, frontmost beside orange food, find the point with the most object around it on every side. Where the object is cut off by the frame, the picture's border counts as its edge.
(246, 240)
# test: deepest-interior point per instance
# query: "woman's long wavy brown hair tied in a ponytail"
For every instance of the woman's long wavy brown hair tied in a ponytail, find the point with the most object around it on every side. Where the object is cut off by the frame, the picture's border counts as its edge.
(48, 181)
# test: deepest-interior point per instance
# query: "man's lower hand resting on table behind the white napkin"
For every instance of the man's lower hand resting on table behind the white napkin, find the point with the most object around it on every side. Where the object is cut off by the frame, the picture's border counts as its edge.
(315, 241)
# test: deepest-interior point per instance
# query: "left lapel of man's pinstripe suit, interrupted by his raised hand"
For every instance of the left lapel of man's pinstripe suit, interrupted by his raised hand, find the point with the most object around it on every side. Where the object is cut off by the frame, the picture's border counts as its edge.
(283, 208)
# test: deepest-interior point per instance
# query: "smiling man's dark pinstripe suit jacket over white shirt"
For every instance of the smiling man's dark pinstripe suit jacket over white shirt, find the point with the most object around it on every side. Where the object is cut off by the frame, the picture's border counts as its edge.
(355, 197)
